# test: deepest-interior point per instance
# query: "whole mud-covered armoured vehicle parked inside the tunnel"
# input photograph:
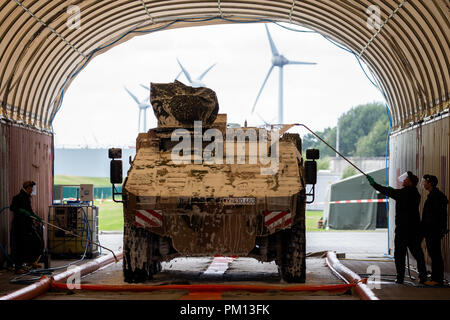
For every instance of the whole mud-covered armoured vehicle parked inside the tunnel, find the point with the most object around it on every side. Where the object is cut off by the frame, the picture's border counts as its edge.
(199, 207)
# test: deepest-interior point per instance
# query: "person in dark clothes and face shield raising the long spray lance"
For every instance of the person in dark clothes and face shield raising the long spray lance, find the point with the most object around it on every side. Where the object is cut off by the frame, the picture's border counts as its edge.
(407, 224)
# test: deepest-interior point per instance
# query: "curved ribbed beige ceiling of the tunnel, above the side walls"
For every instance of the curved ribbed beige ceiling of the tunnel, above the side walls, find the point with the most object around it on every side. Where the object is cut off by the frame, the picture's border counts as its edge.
(40, 55)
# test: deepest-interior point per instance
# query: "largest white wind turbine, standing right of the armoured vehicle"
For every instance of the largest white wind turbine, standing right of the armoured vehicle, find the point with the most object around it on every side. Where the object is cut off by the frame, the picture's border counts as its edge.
(278, 60)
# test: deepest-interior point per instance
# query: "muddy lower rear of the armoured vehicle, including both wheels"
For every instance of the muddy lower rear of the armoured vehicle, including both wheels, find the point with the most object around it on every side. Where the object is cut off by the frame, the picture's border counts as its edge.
(244, 231)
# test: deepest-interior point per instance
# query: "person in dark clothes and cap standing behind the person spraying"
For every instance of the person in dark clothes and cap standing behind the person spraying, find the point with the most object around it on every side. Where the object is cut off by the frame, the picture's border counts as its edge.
(434, 227)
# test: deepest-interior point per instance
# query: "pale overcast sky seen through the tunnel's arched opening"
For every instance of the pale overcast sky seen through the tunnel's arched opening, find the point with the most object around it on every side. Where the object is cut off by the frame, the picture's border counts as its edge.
(97, 111)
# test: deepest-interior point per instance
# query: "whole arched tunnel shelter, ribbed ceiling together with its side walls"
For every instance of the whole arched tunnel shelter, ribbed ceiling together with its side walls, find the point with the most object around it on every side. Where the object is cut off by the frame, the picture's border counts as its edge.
(404, 43)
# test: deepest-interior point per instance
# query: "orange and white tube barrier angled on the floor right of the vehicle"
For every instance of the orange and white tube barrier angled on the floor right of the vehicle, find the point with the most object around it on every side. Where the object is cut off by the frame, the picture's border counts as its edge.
(350, 277)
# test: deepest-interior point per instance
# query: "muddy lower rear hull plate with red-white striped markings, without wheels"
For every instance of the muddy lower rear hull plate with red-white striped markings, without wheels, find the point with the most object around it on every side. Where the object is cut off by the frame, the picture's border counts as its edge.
(225, 226)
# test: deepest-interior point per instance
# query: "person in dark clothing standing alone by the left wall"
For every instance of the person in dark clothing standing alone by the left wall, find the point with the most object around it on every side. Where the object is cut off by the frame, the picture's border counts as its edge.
(26, 240)
